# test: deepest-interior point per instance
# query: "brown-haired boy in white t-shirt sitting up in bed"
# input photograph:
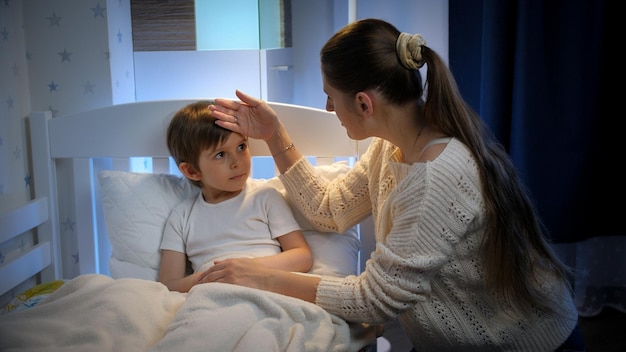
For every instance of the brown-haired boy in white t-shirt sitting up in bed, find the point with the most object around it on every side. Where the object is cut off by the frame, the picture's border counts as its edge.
(232, 215)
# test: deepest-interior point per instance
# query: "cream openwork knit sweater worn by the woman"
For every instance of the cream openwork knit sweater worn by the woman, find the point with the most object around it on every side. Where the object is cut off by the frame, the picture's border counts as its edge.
(426, 268)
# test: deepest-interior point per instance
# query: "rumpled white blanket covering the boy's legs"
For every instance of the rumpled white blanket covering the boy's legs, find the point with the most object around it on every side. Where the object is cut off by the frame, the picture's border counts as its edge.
(97, 313)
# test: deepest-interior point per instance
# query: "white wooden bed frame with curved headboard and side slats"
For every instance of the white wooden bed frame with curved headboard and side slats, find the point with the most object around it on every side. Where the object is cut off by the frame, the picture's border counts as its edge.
(106, 138)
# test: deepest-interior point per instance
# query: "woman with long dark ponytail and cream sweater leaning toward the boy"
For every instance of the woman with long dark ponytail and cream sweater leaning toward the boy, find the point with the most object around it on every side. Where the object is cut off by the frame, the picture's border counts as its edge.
(461, 259)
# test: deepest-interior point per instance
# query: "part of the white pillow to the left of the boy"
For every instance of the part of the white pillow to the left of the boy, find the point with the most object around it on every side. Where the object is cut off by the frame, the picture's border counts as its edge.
(136, 206)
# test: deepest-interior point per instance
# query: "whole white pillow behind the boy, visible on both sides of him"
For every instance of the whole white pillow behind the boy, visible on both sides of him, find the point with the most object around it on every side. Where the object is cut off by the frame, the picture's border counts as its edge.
(136, 206)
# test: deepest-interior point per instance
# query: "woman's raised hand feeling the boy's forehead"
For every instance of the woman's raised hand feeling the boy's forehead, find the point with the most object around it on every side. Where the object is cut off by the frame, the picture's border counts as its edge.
(251, 117)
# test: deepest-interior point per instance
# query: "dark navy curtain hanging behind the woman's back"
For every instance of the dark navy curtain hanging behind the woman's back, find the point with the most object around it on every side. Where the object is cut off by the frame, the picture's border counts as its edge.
(540, 74)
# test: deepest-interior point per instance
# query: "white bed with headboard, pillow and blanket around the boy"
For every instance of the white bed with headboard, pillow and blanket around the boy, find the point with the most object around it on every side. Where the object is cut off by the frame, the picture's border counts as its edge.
(83, 162)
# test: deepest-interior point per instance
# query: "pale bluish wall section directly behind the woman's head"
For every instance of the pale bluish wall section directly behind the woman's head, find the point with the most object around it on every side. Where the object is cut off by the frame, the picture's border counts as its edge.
(315, 21)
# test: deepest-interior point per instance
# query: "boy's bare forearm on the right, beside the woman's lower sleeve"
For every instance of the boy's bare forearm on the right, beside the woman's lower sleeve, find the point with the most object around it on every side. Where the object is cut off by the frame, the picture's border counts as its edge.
(295, 256)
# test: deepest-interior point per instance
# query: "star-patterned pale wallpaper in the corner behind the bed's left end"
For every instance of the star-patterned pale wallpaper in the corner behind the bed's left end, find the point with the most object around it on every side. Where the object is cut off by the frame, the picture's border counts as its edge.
(63, 56)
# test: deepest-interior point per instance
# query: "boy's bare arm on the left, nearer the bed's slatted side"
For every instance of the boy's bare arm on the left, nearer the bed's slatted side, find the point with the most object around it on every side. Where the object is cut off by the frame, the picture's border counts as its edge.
(172, 271)
